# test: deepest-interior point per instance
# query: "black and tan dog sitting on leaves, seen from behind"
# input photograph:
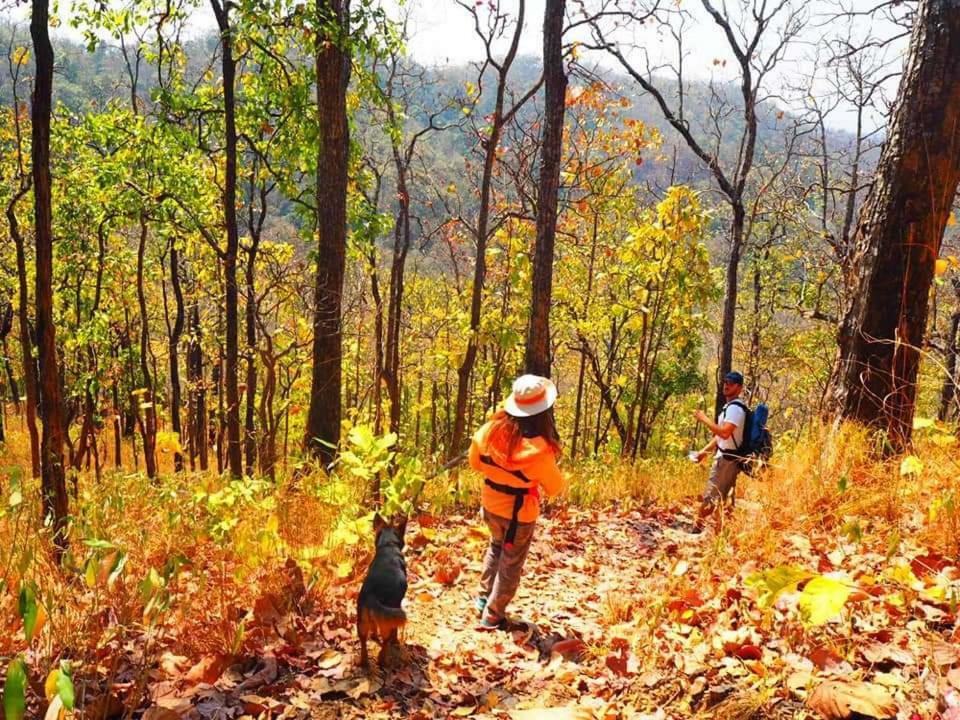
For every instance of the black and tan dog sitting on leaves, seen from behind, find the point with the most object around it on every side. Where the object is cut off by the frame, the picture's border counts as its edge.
(378, 606)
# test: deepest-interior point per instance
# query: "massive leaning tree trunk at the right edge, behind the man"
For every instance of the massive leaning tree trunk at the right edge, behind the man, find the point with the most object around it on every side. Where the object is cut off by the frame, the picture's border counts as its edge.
(899, 233)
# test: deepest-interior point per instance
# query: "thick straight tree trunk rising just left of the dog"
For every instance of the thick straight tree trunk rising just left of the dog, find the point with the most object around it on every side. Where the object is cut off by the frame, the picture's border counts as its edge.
(333, 75)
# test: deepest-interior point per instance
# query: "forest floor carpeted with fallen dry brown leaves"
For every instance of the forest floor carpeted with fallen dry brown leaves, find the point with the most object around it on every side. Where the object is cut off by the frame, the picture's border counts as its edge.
(623, 612)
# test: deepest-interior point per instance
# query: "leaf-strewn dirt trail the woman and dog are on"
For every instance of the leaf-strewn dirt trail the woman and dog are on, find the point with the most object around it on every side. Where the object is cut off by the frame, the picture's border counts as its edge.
(569, 652)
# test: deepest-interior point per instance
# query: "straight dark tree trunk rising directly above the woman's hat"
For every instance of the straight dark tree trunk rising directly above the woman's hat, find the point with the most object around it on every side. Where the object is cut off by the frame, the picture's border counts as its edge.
(538, 359)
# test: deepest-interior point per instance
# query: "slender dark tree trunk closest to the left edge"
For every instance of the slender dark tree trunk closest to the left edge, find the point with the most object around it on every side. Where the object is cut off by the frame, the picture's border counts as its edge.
(53, 481)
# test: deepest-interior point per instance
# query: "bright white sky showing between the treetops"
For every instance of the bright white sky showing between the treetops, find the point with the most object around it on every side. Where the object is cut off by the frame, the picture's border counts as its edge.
(441, 32)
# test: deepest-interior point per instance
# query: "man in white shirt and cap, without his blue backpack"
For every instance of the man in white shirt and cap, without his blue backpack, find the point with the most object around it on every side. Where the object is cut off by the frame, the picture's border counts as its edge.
(728, 441)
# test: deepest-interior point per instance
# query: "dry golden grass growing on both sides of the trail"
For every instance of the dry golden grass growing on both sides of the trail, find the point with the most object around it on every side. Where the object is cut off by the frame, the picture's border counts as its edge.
(217, 552)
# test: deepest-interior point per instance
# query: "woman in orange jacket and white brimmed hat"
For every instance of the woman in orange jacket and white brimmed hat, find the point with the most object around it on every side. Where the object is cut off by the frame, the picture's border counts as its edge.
(517, 452)
